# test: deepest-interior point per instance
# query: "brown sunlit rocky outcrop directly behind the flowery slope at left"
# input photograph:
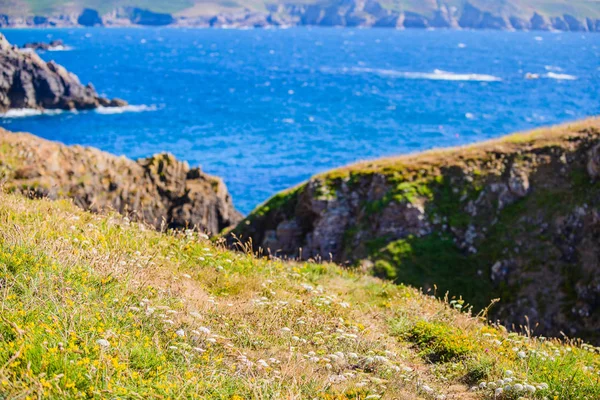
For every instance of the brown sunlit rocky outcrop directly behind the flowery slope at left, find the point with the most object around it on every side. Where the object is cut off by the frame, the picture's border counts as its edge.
(158, 190)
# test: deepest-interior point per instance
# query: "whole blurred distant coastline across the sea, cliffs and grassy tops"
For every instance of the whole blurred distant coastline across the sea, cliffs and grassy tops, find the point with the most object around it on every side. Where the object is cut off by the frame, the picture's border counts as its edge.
(578, 15)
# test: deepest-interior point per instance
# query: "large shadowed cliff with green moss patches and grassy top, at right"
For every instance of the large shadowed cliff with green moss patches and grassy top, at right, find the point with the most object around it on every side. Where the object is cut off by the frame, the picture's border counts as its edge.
(517, 218)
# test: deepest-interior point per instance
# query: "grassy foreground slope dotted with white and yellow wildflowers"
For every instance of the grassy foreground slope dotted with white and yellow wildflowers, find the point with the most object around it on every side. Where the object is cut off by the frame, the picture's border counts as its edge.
(98, 307)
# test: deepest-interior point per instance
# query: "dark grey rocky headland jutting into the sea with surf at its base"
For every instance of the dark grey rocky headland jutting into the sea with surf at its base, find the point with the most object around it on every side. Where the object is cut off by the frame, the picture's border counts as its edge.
(27, 81)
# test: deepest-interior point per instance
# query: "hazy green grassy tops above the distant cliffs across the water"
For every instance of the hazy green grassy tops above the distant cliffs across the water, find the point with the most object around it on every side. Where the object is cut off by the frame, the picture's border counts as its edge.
(578, 8)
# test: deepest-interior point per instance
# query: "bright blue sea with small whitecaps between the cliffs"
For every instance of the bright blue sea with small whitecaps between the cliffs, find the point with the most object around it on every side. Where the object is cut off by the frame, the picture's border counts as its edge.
(266, 109)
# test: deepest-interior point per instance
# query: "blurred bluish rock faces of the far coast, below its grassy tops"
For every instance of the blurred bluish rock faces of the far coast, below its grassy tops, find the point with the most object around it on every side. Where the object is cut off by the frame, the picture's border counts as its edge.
(346, 13)
